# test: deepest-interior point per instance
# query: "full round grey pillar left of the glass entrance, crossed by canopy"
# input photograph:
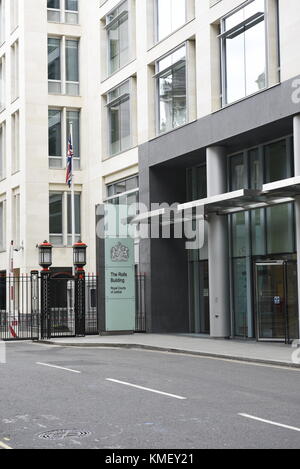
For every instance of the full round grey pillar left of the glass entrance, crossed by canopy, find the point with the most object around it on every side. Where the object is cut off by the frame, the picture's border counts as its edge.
(218, 248)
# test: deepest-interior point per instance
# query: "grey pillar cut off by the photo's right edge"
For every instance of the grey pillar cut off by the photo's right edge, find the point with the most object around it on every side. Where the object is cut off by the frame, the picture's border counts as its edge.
(297, 199)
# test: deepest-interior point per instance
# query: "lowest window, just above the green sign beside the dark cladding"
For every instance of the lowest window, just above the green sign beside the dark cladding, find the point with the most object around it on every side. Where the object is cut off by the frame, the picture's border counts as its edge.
(124, 192)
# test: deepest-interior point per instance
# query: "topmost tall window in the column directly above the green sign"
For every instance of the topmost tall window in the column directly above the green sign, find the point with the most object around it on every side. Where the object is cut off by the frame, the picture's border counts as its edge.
(117, 26)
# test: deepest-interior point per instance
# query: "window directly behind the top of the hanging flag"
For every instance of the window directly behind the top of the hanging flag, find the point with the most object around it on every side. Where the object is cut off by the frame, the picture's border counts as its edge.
(59, 130)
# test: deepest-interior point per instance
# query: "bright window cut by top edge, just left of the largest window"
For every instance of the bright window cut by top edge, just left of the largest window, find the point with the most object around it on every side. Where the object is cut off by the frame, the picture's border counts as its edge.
(171, 14)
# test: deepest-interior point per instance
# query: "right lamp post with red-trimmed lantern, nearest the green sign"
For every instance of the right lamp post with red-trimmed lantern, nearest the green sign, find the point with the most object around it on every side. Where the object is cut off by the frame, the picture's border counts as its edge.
(79, 261)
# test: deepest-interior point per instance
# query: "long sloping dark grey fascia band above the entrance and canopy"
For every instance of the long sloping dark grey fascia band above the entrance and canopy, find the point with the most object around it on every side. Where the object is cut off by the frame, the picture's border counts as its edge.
(254, 120)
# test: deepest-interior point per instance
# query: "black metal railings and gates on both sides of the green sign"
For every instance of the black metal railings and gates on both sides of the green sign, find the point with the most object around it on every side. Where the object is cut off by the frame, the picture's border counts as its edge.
(45, 306)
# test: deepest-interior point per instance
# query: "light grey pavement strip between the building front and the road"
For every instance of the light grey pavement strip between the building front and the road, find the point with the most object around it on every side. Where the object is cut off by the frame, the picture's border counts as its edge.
(247, 351)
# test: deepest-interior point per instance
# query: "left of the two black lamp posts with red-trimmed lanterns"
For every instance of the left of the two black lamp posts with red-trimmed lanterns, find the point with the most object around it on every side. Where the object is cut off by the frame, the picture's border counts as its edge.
(45, 261)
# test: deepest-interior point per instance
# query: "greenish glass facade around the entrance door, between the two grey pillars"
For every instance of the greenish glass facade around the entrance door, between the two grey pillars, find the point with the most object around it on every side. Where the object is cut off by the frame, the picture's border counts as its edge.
(260, 235)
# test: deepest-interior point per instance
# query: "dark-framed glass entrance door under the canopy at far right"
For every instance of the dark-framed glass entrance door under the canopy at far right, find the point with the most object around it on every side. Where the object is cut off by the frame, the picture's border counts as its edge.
(271, 301)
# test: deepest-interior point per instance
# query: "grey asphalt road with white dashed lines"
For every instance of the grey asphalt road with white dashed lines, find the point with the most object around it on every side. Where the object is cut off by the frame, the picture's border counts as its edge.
(55, 397)
